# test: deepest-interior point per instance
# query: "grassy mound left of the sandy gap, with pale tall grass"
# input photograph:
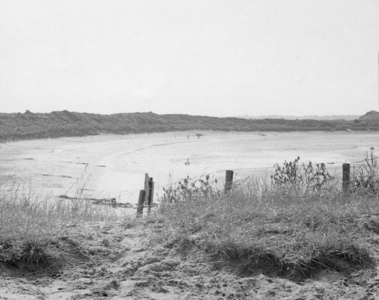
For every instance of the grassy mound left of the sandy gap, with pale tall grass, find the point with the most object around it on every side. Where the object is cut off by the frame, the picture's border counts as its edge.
(32, 228)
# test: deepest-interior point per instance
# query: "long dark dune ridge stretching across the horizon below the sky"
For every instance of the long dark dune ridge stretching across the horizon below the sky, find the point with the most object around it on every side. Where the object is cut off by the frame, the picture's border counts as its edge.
(28, 125)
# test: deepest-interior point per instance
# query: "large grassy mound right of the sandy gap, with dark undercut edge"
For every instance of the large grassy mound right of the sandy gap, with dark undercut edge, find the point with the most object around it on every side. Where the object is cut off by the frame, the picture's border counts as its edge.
(285, 230)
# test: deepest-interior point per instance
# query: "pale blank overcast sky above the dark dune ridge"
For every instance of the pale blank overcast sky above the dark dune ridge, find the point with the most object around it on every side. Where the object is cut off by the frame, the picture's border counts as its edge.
(199, 57)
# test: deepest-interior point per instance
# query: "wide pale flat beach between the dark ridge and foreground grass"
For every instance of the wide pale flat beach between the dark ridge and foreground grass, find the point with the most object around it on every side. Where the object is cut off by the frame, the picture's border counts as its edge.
(114, 166)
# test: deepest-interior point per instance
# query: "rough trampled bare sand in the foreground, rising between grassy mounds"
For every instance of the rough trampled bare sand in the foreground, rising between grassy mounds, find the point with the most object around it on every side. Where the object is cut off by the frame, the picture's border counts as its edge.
(118, 262)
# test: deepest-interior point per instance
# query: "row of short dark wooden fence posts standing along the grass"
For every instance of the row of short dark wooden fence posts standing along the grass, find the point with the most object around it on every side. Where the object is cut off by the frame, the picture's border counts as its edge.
(146, 195)
